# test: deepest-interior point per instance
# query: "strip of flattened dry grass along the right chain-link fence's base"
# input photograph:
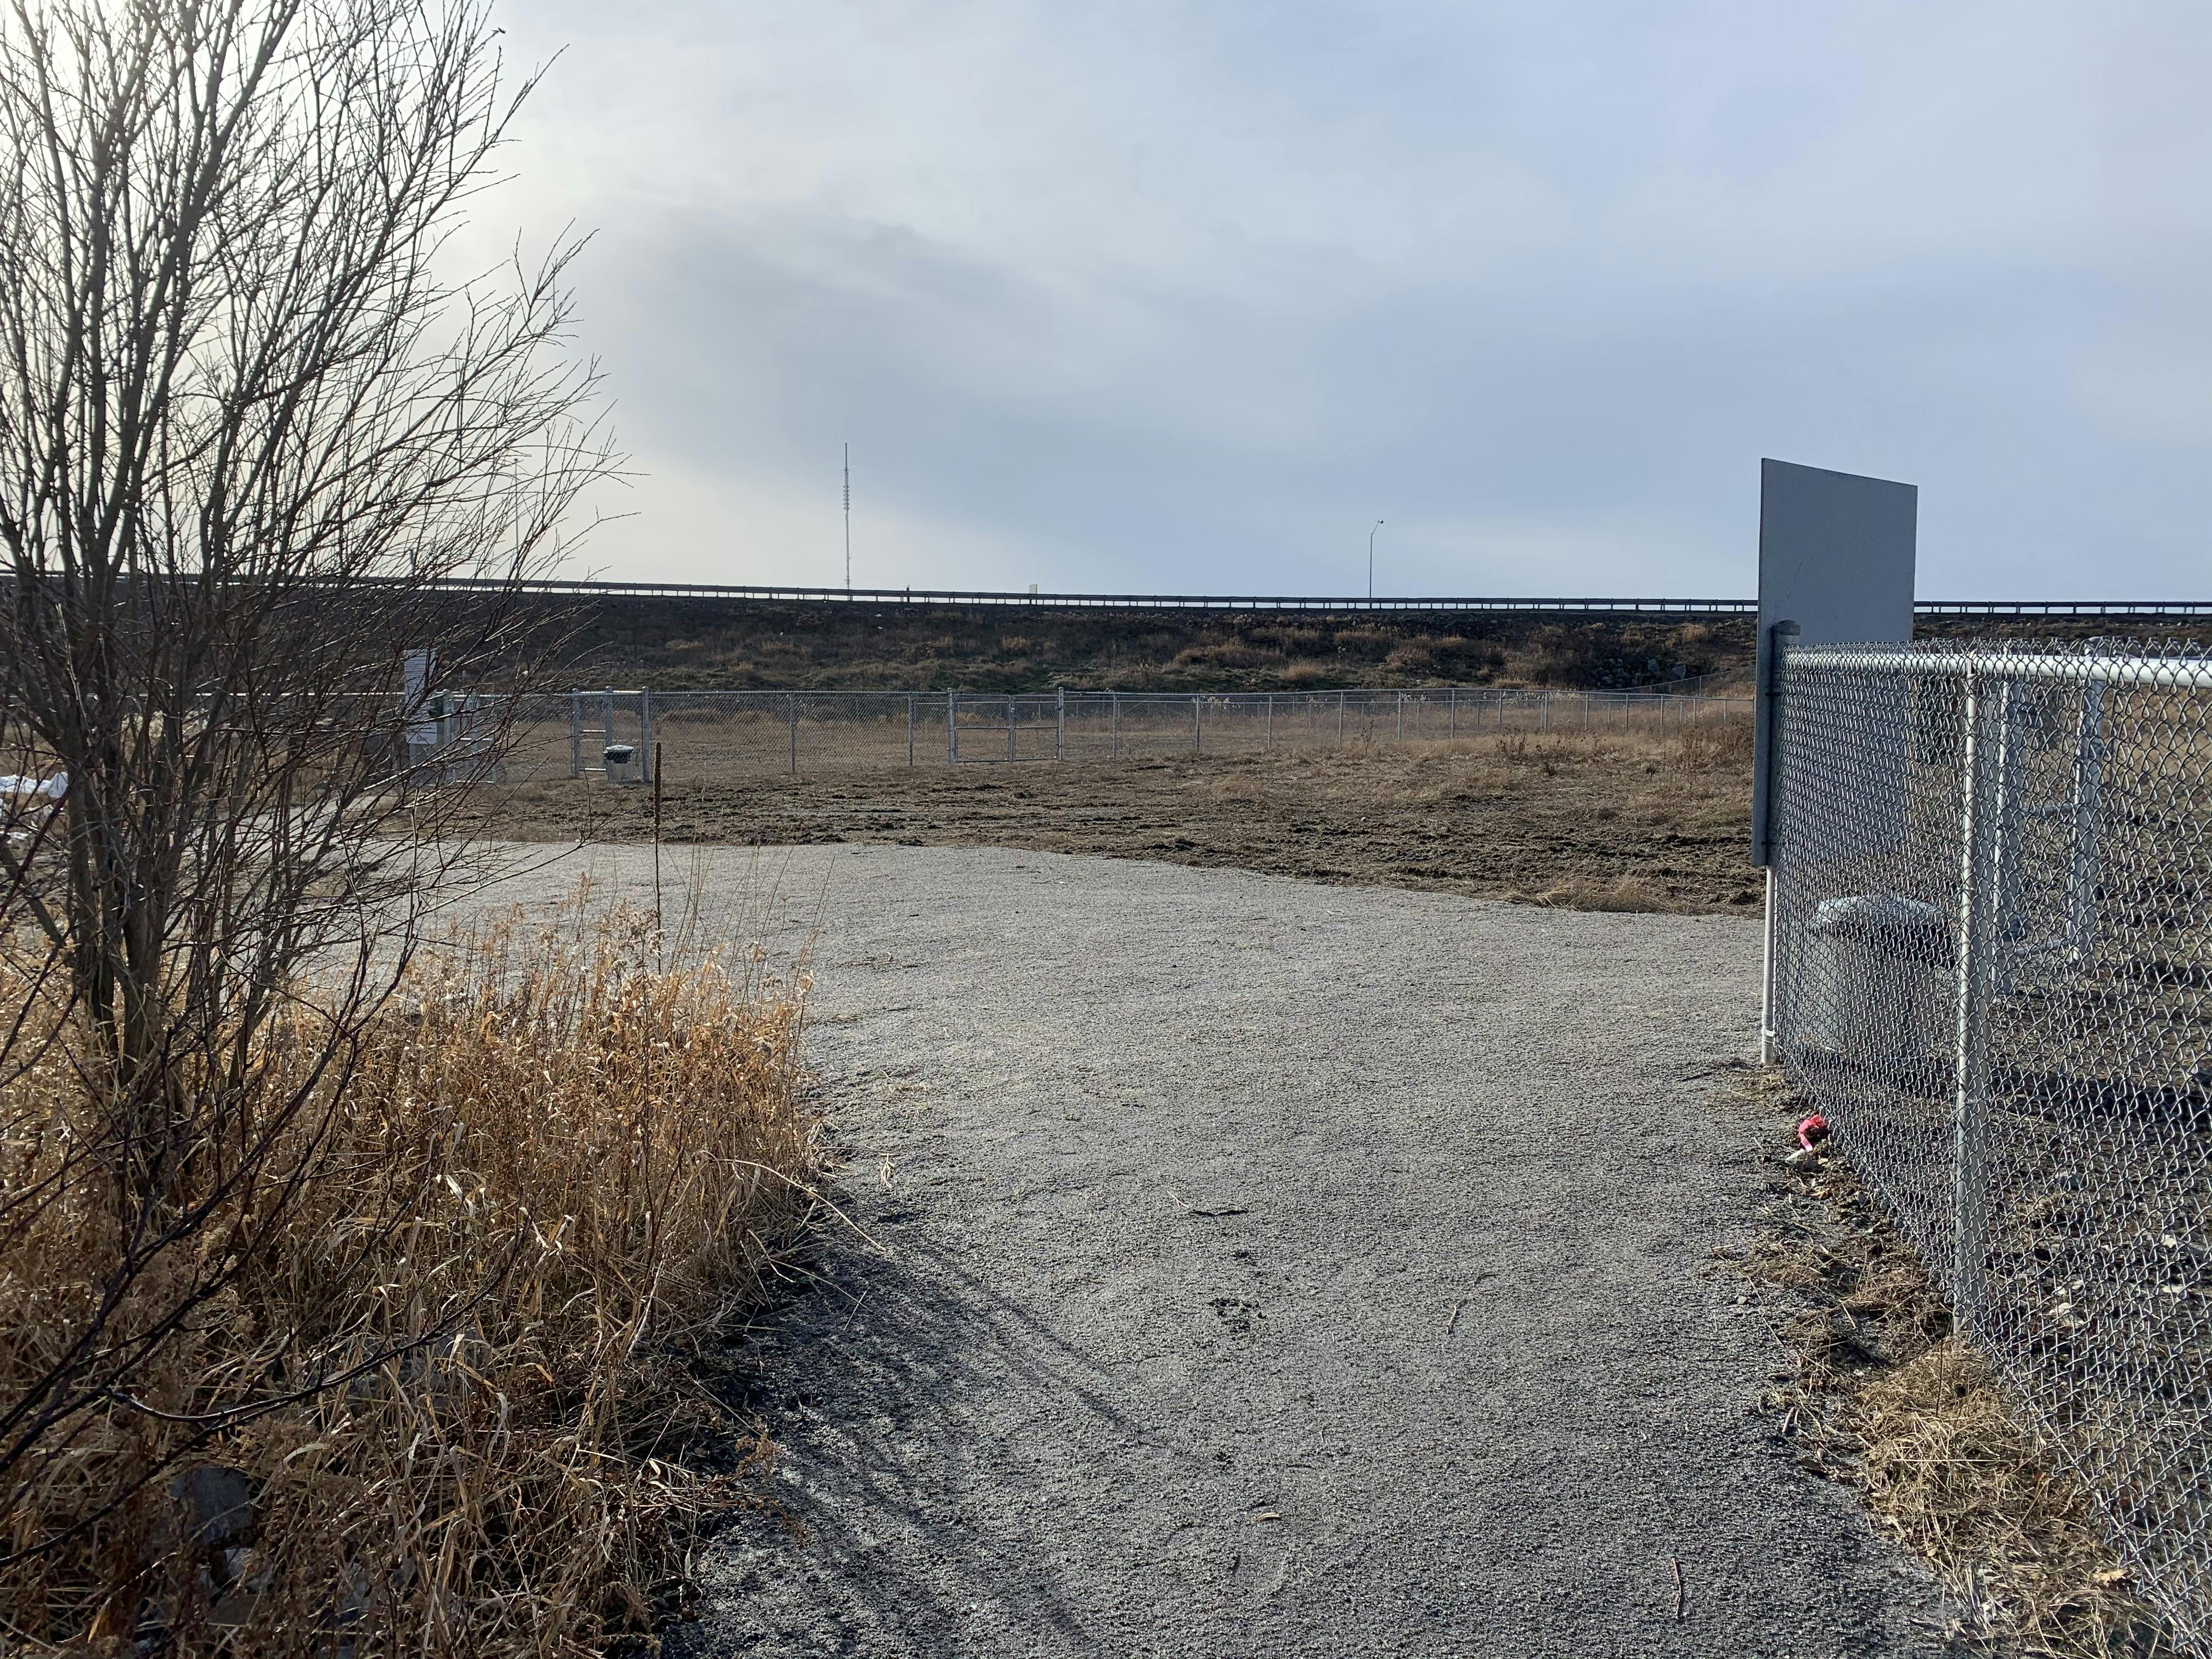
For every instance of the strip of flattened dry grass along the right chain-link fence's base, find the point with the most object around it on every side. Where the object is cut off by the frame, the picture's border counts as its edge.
(1890, 1401)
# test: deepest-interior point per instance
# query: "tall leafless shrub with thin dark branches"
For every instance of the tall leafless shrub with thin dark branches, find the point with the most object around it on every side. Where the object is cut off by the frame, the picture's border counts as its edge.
(260, 446)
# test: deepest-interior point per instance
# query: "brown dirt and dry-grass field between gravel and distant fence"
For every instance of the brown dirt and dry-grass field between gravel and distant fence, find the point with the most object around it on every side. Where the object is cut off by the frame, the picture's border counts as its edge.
(1598, 822)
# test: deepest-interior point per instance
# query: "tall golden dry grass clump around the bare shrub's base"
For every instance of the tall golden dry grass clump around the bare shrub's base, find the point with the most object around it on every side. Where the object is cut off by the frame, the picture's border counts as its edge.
(559, 1169)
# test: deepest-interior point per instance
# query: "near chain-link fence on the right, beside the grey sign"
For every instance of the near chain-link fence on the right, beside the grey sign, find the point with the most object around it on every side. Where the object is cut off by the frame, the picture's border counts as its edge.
(1994, 974)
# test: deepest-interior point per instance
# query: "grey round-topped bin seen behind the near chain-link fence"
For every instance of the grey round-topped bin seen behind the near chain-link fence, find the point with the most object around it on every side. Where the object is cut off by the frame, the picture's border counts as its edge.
(1875, 983)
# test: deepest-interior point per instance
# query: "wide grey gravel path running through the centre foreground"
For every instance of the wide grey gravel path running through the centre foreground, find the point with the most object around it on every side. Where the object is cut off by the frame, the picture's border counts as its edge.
(1273, 1269)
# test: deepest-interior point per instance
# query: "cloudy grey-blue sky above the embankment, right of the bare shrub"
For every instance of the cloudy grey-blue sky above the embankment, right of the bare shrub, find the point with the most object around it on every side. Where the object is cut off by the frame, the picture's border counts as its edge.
(1185, 298)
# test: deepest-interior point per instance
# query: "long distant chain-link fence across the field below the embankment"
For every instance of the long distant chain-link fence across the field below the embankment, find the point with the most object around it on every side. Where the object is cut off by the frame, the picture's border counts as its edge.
(713, 735)
